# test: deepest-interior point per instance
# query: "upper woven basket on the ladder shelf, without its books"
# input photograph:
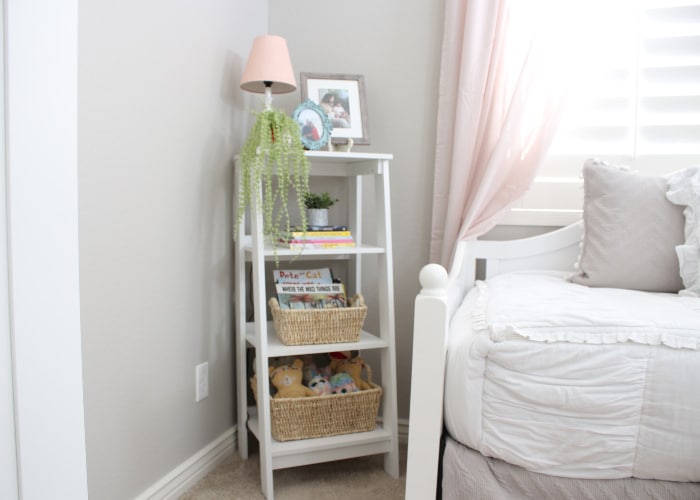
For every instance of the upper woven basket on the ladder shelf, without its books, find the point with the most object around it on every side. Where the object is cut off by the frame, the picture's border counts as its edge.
(319, 326)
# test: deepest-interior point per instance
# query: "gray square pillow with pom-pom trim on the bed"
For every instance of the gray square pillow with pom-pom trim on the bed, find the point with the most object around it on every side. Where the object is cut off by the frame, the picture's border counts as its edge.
(630, 231)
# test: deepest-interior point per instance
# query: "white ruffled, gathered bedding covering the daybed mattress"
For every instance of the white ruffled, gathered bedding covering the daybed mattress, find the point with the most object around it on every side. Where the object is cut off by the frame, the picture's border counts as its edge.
(573, 381)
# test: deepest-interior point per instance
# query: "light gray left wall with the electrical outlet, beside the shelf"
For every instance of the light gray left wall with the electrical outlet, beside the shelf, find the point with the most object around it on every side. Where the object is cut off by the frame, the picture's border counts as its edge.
(160, 117)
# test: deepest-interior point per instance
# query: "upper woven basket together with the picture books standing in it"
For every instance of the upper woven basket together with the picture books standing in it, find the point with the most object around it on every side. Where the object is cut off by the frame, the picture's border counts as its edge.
(312, 309)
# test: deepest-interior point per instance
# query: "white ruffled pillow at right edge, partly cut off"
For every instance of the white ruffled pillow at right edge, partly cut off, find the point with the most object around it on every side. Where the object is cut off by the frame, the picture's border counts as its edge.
(684, 189)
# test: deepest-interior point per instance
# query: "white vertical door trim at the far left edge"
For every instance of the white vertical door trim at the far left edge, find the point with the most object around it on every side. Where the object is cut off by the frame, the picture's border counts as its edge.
(41, 73)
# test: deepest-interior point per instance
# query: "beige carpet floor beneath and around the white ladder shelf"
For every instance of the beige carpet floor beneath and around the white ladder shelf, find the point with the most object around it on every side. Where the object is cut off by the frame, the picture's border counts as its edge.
(360, 478)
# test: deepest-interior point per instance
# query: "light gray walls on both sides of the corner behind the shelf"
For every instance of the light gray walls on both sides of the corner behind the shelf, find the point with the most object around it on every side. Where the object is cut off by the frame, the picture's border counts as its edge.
(160, 117)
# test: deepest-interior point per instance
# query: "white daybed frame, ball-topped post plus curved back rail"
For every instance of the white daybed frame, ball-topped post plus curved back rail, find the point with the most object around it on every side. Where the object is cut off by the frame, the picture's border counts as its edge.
(440, 295)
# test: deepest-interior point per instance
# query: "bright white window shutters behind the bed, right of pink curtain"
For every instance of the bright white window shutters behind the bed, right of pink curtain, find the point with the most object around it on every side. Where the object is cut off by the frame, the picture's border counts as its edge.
(638, 104)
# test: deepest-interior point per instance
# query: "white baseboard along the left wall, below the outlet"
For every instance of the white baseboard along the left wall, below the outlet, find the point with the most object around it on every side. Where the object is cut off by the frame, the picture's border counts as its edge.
(185, 475)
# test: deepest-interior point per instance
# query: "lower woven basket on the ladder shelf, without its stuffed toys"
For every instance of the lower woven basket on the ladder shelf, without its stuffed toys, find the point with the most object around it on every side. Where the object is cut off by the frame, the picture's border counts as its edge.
(322, 416)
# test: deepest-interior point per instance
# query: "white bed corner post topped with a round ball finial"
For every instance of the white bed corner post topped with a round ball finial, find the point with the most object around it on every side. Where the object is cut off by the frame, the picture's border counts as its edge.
(427, 382)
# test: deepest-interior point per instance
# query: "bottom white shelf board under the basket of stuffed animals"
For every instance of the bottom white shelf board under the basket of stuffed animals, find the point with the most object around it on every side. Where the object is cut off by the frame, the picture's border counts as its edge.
(310, 451)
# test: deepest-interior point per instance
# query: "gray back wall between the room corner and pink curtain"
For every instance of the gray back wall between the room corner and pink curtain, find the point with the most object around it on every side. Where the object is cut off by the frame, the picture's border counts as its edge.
(396, 46)
